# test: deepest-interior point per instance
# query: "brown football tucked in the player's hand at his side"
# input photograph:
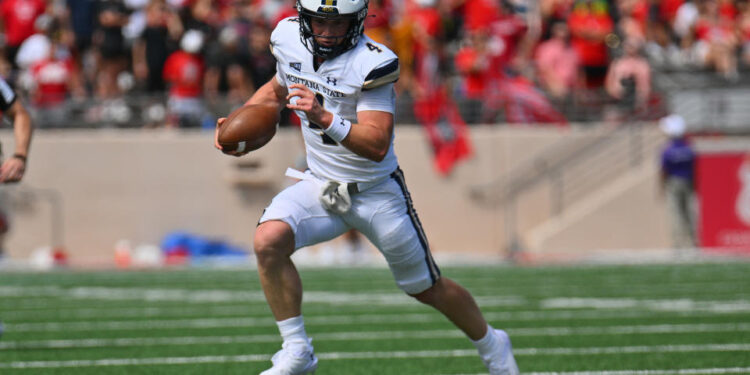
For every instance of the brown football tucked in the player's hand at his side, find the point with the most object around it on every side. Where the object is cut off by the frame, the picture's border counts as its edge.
(248, 128)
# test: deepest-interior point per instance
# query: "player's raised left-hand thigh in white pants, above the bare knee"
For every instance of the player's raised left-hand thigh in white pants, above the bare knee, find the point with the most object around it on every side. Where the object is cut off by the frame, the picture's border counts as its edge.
(299, 207)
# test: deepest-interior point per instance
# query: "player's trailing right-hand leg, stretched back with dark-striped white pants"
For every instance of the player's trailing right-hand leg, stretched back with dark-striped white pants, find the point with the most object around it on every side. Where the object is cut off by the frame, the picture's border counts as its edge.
(394, 227)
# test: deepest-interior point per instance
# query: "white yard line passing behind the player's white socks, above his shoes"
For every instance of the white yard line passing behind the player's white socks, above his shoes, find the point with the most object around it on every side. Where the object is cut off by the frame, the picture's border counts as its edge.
(378, 335)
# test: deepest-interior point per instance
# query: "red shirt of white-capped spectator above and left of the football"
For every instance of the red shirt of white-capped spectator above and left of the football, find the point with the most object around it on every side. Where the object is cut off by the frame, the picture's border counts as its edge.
(184, 72)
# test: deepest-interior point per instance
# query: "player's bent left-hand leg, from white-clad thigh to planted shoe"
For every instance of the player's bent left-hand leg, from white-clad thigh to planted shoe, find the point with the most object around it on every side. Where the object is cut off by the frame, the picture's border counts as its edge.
(294, 219)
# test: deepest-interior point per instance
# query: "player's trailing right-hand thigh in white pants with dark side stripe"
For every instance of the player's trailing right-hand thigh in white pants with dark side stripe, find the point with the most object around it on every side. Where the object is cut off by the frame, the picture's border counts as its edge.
(396, 231)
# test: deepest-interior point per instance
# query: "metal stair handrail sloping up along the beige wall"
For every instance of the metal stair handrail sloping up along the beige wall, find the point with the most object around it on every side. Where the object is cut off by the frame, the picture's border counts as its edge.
(572, 169)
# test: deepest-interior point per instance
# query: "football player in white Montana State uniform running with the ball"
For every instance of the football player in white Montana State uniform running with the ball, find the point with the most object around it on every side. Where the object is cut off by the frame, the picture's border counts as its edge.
(340, 83)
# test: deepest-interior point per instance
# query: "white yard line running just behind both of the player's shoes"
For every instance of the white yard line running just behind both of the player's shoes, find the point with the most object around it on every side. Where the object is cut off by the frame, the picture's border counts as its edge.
(377, 355)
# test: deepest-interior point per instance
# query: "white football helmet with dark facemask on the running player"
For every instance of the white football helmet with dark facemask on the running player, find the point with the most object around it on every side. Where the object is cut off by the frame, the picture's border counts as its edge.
(354, 10)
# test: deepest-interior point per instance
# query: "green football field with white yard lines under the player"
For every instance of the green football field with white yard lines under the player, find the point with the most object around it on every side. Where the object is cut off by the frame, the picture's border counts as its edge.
(618, 320)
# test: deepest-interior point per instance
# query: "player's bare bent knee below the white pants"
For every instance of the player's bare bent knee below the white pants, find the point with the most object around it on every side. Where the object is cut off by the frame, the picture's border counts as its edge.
(273, 240)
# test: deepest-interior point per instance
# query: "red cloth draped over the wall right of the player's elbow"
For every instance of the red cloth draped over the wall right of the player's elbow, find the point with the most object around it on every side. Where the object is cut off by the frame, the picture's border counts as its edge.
(447, 131)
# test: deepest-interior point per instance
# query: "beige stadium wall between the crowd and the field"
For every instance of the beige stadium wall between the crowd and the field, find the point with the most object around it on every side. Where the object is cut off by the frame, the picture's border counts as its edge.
(139, 185)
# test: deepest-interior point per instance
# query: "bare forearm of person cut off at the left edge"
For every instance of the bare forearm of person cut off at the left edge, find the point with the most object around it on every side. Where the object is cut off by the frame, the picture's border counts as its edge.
(13, 168)
